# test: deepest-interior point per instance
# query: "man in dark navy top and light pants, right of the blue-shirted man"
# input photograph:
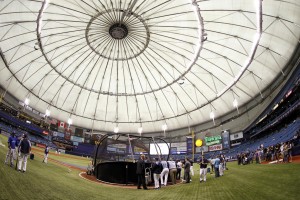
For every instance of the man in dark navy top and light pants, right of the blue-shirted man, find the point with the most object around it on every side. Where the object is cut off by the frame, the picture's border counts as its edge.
(24, 150)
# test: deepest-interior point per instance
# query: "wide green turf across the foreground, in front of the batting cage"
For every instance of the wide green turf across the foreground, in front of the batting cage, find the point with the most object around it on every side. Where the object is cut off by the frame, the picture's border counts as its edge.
(56, 182)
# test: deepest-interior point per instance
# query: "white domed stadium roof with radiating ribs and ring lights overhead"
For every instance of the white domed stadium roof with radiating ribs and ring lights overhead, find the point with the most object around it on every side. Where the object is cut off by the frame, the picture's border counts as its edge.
(144, 63)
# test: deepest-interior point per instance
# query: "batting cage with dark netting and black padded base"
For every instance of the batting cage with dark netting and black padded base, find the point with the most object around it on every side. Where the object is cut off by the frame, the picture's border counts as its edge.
(115, 157)
